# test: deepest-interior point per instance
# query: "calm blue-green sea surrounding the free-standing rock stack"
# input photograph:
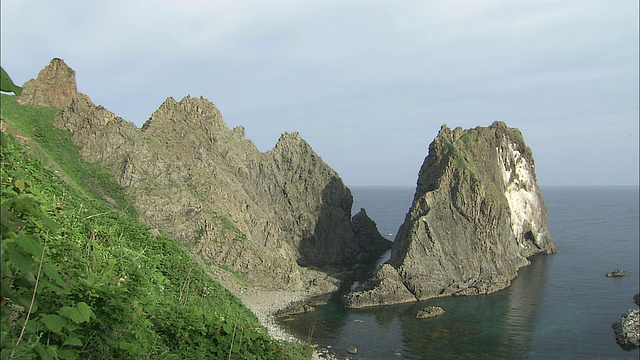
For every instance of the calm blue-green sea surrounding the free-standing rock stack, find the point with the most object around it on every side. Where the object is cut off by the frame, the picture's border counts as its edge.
(559, 307)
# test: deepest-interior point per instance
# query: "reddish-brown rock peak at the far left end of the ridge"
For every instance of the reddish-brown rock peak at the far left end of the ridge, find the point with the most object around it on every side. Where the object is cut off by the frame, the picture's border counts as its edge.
(55, 87)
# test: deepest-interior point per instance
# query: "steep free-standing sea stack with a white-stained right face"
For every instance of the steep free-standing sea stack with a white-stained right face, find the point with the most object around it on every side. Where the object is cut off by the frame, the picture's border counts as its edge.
(476, 216)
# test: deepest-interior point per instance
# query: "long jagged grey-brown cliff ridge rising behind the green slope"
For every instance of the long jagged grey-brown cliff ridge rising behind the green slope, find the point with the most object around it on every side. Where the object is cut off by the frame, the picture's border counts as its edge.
(265, 216)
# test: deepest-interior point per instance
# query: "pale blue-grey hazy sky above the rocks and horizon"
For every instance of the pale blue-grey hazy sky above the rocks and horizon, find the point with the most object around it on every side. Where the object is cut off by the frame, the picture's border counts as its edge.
(367, 84)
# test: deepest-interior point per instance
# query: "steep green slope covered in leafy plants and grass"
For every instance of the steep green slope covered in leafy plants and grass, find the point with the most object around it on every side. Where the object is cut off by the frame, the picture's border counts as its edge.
(106, 288)
